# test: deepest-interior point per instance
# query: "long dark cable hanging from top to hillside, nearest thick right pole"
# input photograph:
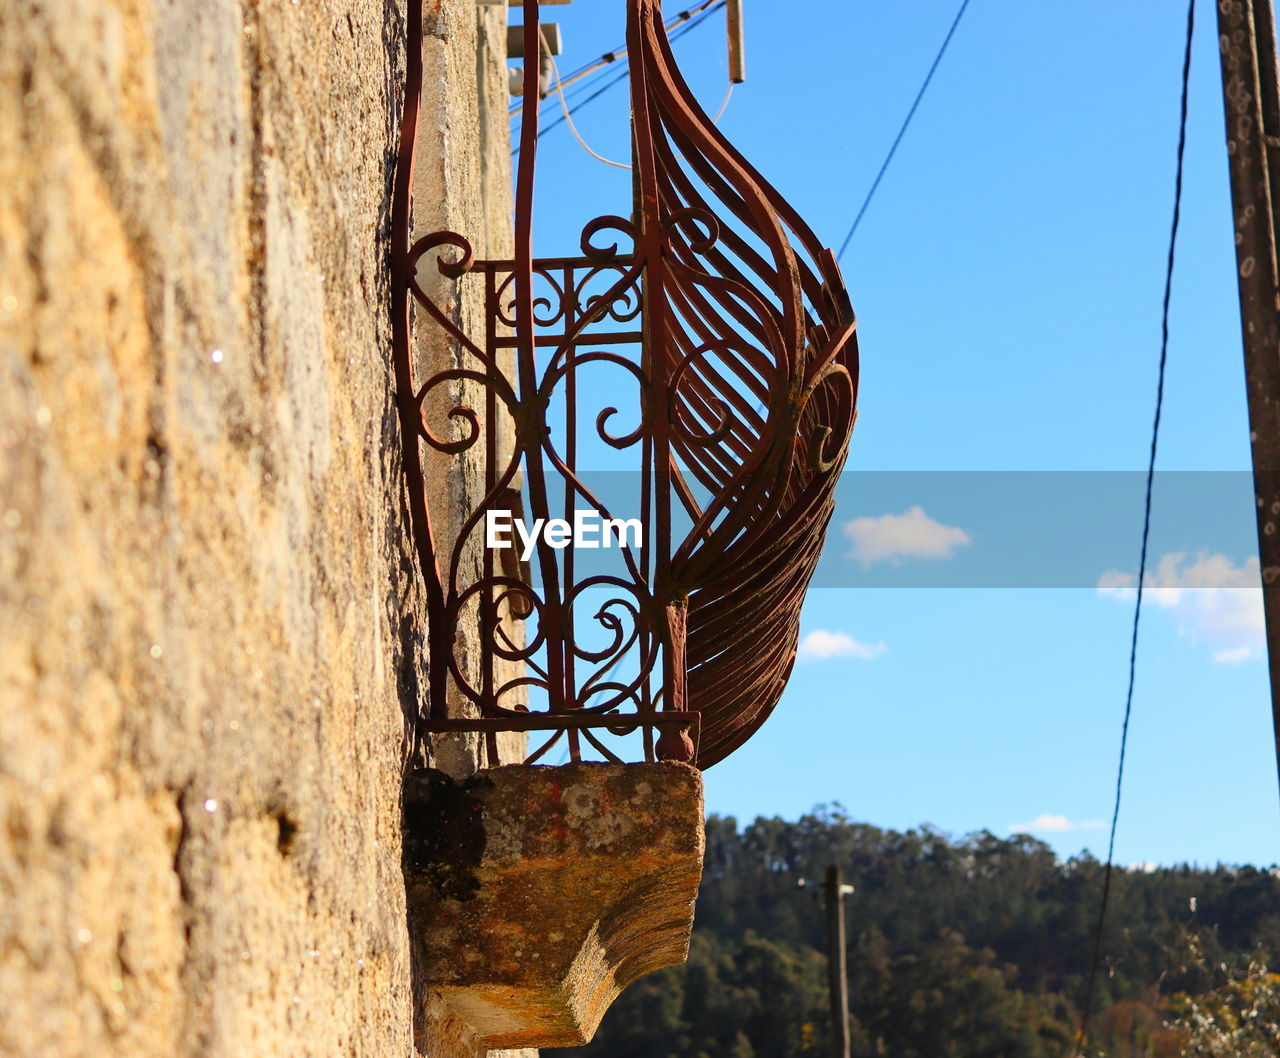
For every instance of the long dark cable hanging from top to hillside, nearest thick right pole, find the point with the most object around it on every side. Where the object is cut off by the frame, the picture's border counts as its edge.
(1146, 533)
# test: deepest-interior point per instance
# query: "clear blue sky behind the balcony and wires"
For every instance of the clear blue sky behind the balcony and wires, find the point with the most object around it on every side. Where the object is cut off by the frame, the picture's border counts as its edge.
(1008, 281)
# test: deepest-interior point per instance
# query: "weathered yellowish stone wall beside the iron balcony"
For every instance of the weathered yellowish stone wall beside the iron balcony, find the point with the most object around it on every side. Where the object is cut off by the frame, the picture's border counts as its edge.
(211, 629)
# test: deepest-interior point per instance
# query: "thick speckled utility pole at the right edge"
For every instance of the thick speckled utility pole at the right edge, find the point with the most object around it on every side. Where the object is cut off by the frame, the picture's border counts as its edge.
(1251, 95)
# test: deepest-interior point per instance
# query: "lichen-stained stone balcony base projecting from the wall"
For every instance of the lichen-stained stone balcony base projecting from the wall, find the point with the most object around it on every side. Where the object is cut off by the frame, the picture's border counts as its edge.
(540, 894)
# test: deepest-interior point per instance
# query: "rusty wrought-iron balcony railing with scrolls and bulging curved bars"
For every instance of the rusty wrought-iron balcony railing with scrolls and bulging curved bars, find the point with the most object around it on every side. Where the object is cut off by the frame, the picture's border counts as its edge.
(730, 323)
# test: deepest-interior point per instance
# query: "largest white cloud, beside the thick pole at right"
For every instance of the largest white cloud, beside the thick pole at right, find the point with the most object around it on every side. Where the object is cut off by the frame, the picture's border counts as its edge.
(1214, 602)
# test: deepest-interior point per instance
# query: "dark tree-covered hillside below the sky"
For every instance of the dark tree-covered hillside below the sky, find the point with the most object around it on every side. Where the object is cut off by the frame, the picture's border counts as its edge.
(971, 949)
